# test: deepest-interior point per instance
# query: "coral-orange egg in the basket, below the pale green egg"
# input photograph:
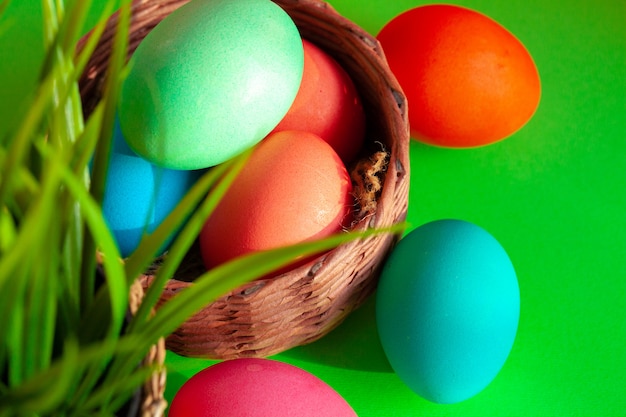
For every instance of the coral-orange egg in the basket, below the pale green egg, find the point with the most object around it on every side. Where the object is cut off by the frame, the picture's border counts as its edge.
(293, 188)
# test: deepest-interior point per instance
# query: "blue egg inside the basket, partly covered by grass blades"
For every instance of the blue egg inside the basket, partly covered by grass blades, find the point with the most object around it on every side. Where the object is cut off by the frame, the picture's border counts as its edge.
(138, 195)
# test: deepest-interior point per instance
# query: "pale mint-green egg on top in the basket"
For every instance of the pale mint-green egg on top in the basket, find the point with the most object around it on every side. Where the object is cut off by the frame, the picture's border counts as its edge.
(210, 80)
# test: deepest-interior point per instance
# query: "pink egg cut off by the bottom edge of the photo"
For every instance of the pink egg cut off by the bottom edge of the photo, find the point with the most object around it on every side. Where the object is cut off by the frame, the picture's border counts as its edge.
(257, 387)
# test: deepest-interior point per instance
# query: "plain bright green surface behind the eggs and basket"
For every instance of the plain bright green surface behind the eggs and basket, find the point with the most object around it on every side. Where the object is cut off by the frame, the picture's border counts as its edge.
(553, 194)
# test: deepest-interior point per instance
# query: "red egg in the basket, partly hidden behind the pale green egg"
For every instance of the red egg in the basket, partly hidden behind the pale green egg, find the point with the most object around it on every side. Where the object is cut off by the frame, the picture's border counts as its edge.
(327, 104)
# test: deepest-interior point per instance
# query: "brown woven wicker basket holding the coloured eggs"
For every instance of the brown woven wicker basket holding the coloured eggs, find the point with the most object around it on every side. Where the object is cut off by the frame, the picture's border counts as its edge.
(268, 316)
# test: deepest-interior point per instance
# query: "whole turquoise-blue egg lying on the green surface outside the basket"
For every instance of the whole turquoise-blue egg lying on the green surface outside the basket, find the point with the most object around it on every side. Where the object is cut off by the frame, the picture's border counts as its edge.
(447, 310)
